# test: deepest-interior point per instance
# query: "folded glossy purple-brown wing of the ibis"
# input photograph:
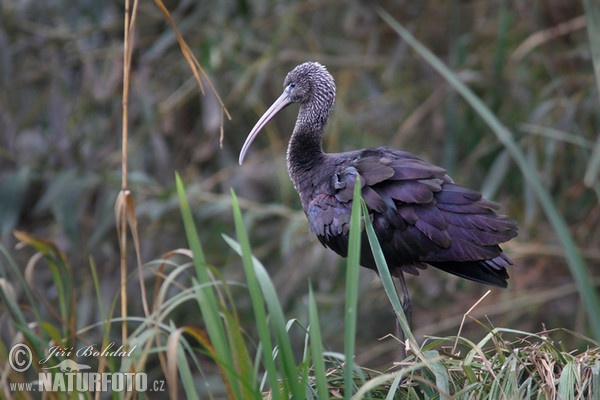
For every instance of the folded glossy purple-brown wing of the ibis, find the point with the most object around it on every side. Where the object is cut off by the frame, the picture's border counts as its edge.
(418, 213)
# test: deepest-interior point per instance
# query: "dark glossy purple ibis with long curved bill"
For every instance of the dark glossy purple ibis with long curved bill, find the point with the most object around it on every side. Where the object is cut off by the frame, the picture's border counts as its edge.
(421, 217)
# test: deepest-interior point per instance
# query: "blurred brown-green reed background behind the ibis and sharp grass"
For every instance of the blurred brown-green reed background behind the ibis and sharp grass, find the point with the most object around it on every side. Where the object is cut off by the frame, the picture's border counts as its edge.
(61, 68)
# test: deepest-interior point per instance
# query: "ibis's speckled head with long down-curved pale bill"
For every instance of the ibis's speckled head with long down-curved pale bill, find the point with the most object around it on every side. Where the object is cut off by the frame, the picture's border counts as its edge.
(308, 84)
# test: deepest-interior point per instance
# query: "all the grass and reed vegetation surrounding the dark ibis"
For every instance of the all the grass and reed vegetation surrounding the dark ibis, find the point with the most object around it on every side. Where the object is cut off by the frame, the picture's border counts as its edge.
(179, 282)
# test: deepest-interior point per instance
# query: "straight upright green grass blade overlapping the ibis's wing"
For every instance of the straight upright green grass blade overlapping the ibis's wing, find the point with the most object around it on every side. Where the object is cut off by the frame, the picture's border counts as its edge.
(352, 291)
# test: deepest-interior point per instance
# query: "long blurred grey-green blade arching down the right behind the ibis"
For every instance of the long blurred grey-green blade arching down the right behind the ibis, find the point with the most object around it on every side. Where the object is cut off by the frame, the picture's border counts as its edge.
(574, 260)
